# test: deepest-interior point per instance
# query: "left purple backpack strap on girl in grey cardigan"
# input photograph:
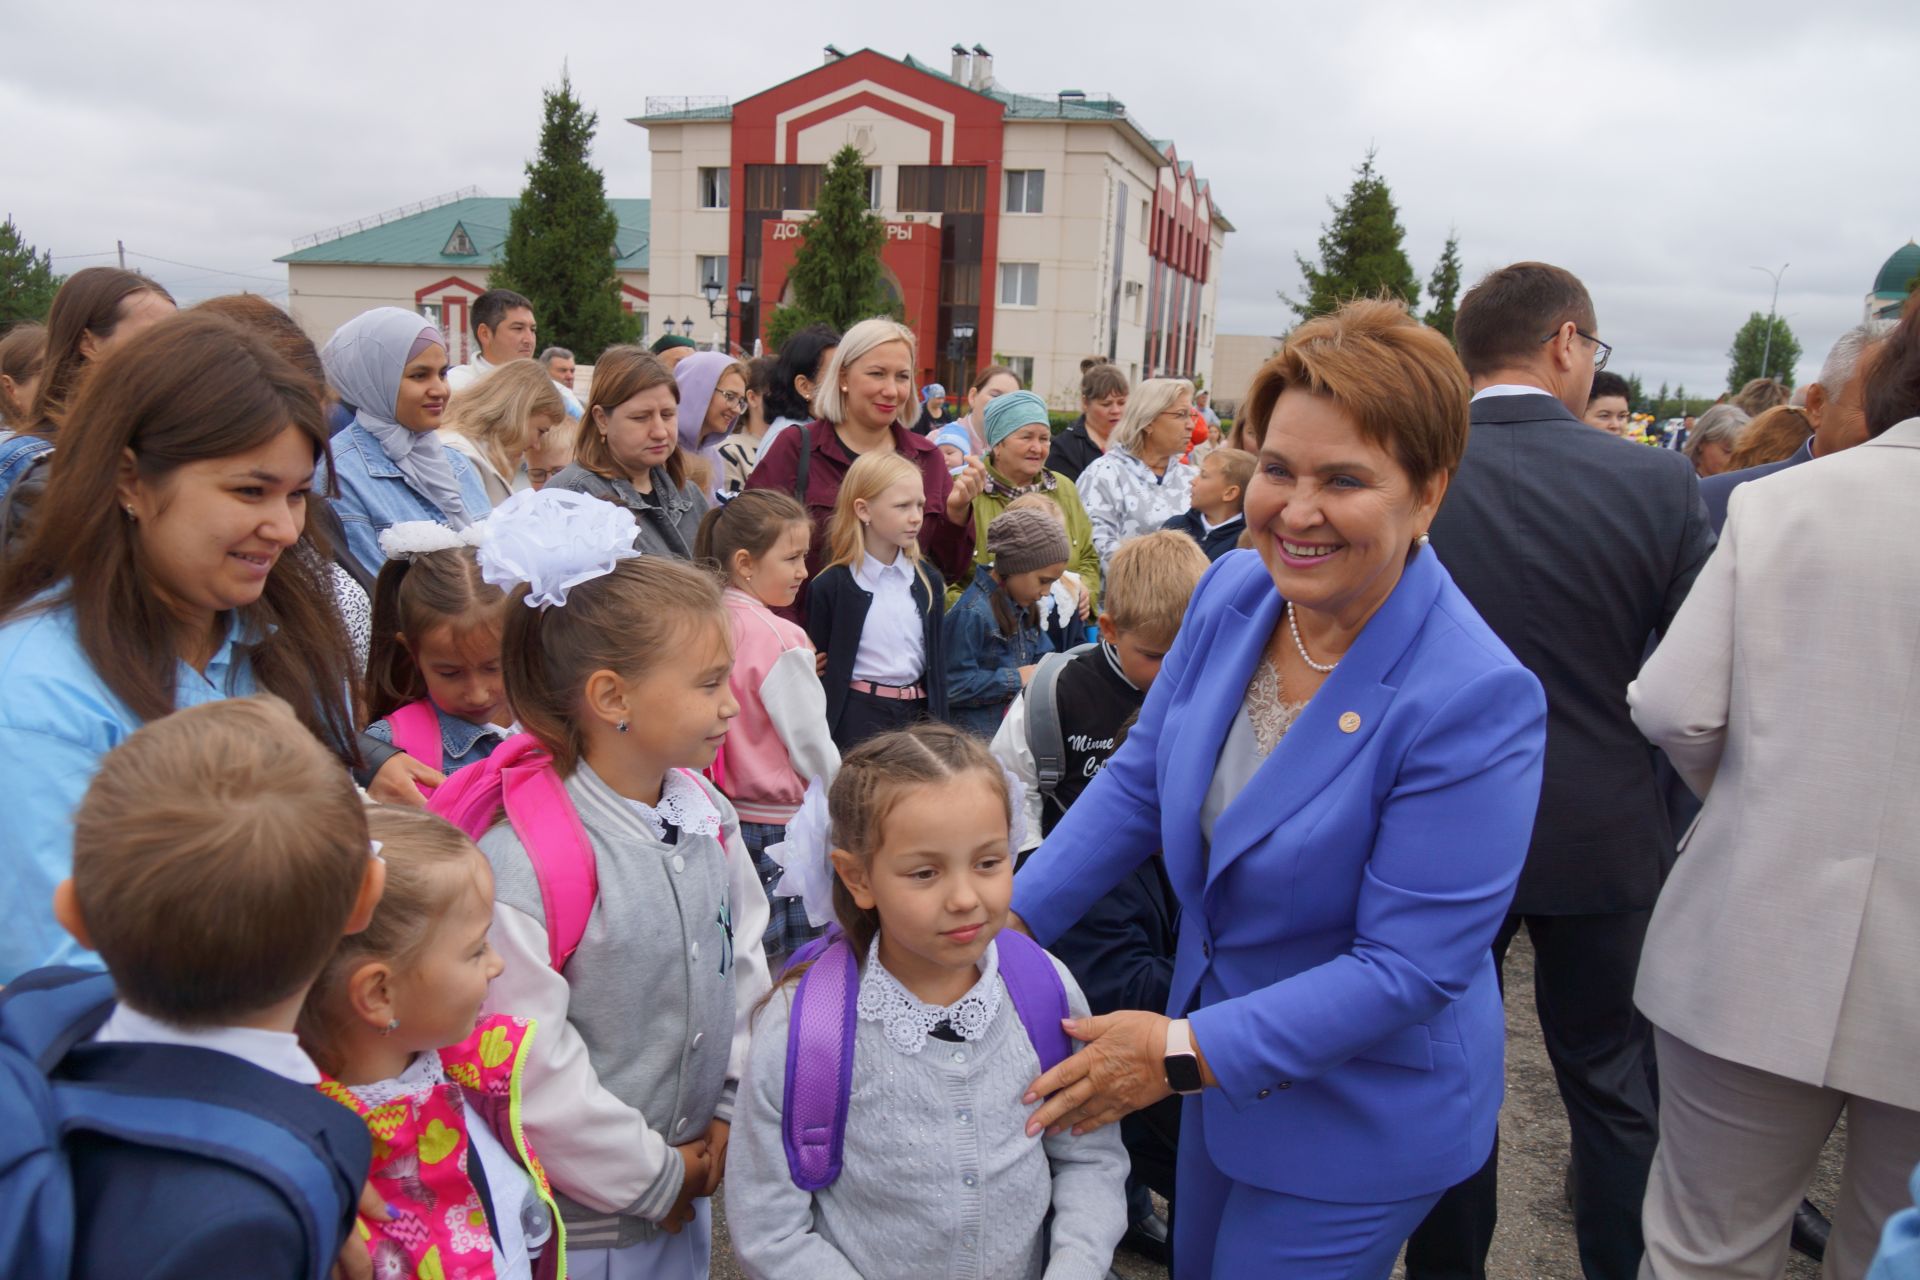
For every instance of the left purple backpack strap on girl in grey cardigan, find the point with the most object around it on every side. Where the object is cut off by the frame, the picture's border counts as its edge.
(821, 1064)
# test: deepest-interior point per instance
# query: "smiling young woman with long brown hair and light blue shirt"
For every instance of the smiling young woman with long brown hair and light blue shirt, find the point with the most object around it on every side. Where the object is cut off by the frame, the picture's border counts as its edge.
(164, 575)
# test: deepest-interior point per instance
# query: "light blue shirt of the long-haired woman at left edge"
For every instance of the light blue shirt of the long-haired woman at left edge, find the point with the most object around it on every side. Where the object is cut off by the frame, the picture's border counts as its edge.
(57, 721)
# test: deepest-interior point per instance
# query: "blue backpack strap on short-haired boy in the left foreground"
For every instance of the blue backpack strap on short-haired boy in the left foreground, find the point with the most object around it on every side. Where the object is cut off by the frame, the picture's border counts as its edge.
(229, 1135)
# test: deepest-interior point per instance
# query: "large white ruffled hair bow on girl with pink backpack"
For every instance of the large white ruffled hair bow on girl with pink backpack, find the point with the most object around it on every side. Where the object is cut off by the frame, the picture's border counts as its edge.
(554, 540)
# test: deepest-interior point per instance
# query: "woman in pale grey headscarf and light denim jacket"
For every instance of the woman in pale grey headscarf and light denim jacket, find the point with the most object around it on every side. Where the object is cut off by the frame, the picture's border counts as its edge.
(391, 463)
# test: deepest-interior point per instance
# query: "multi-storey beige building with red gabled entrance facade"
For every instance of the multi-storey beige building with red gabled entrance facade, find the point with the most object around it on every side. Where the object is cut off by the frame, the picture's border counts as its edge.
(1022, 231)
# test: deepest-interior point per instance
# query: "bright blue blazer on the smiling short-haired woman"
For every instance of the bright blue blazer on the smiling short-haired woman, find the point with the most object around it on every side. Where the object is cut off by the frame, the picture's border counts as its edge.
(1335, 941)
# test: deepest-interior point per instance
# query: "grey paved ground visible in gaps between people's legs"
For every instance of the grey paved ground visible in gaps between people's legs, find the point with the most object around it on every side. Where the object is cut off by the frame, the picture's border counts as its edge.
(1535, 1237)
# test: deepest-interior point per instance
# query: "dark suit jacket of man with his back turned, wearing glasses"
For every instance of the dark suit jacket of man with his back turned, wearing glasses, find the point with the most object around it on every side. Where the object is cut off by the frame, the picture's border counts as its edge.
(1577, 546)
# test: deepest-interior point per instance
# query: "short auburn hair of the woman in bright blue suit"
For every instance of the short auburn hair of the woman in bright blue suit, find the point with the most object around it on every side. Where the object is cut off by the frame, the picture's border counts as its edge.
(1395, 377)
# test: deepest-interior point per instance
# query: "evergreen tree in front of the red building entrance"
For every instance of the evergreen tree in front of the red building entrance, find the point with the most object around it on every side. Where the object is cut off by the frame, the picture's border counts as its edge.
(838, 277)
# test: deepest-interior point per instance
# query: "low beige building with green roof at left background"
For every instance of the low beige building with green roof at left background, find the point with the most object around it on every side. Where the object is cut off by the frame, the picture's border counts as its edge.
(433, 258)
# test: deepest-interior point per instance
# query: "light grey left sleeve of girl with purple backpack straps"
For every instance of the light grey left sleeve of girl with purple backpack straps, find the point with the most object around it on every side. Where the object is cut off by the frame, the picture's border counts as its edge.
(771, 1218)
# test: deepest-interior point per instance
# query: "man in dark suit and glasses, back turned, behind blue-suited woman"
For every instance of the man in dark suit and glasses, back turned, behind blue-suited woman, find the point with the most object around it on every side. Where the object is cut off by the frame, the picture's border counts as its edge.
(1575, 546)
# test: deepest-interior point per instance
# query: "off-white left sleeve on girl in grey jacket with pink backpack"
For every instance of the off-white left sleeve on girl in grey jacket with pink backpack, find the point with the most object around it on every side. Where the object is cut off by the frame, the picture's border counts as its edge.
(596, 1149)
